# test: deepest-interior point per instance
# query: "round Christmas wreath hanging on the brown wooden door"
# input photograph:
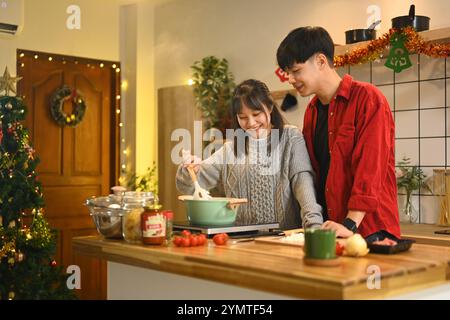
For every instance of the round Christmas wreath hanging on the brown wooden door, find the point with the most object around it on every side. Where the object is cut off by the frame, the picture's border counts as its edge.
(57, 100)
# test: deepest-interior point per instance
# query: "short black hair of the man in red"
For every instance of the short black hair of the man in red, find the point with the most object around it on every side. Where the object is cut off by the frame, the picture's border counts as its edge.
(302, 43)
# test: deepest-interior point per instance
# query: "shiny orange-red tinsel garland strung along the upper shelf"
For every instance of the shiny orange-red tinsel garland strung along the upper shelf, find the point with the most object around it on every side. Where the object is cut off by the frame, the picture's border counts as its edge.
(414, 43)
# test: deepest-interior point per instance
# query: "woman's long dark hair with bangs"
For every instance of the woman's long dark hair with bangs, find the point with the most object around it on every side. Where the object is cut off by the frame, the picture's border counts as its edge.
(254, 94)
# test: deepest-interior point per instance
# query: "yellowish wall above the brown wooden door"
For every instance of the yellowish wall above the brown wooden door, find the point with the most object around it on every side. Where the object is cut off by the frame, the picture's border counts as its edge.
(45, 30)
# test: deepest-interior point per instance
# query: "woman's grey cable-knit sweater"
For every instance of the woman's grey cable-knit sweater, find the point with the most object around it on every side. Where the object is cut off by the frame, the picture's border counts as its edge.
(279, 186)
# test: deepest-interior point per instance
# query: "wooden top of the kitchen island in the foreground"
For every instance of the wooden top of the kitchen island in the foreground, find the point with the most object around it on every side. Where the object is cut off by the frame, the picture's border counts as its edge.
(280, 269)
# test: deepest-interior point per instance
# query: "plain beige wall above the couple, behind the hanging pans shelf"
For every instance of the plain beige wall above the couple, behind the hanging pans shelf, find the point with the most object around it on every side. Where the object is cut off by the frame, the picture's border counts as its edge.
(248, 32)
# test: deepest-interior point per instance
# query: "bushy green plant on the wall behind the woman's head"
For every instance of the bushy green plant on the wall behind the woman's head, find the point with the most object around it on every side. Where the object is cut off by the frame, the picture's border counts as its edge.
(213, 87)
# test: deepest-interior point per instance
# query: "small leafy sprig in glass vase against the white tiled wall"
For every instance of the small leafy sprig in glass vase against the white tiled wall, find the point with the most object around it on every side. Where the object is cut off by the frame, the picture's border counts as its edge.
(410, 178)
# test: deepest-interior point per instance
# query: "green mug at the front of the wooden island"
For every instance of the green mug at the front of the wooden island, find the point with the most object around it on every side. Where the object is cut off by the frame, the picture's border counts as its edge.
(320, 244)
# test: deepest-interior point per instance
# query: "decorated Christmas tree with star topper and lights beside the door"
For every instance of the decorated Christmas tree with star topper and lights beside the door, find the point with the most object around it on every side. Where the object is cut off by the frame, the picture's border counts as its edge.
(27, 244)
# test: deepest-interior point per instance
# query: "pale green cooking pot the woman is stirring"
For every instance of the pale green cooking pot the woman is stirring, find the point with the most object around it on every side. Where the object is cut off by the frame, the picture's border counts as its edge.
(212, 212)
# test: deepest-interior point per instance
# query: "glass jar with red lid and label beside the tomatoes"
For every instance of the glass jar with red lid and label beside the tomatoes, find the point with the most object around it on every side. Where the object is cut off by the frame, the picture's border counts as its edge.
(153, 225)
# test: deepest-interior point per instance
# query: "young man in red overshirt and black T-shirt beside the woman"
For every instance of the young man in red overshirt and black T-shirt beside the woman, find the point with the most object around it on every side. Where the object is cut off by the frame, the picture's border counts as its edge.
(349, 132)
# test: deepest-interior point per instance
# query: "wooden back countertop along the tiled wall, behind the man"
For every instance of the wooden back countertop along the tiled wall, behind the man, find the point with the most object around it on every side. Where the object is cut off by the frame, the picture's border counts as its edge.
(424, 234)
